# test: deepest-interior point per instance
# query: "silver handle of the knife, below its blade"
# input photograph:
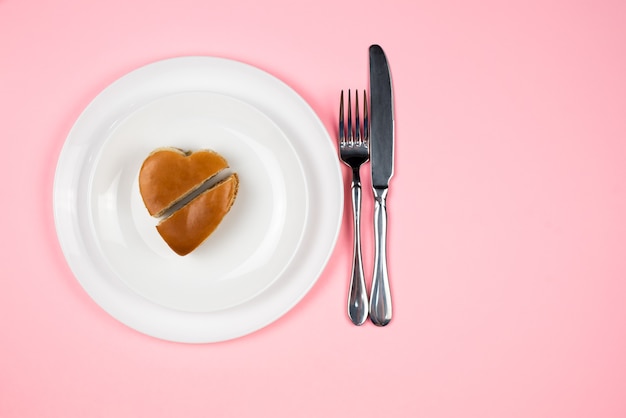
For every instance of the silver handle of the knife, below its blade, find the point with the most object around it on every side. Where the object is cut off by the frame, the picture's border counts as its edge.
(380, 299)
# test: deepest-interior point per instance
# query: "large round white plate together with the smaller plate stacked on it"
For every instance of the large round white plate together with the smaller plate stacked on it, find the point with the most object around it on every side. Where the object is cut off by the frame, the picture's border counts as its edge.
(269, 250)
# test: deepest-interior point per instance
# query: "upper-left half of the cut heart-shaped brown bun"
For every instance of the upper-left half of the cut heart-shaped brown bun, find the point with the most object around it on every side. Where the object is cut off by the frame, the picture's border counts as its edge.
(169, 174)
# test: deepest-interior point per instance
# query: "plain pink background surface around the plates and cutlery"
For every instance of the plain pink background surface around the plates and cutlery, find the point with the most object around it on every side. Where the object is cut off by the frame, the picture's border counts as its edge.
(507, 213)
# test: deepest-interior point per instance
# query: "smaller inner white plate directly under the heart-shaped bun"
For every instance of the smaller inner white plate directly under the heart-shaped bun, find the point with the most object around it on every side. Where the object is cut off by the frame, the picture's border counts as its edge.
(256, 240)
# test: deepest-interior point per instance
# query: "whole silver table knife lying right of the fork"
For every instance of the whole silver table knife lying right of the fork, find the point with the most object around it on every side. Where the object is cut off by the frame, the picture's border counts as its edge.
(381, 162)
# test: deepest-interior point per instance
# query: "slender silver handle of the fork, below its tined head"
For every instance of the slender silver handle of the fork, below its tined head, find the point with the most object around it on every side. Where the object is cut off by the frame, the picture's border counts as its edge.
(357, 299)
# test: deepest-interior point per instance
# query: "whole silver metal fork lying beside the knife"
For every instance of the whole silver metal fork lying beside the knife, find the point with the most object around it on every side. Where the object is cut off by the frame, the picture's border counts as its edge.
(354, 151)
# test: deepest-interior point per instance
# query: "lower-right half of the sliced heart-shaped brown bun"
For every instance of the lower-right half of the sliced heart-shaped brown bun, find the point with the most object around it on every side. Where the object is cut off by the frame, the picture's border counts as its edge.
(188, 227)
